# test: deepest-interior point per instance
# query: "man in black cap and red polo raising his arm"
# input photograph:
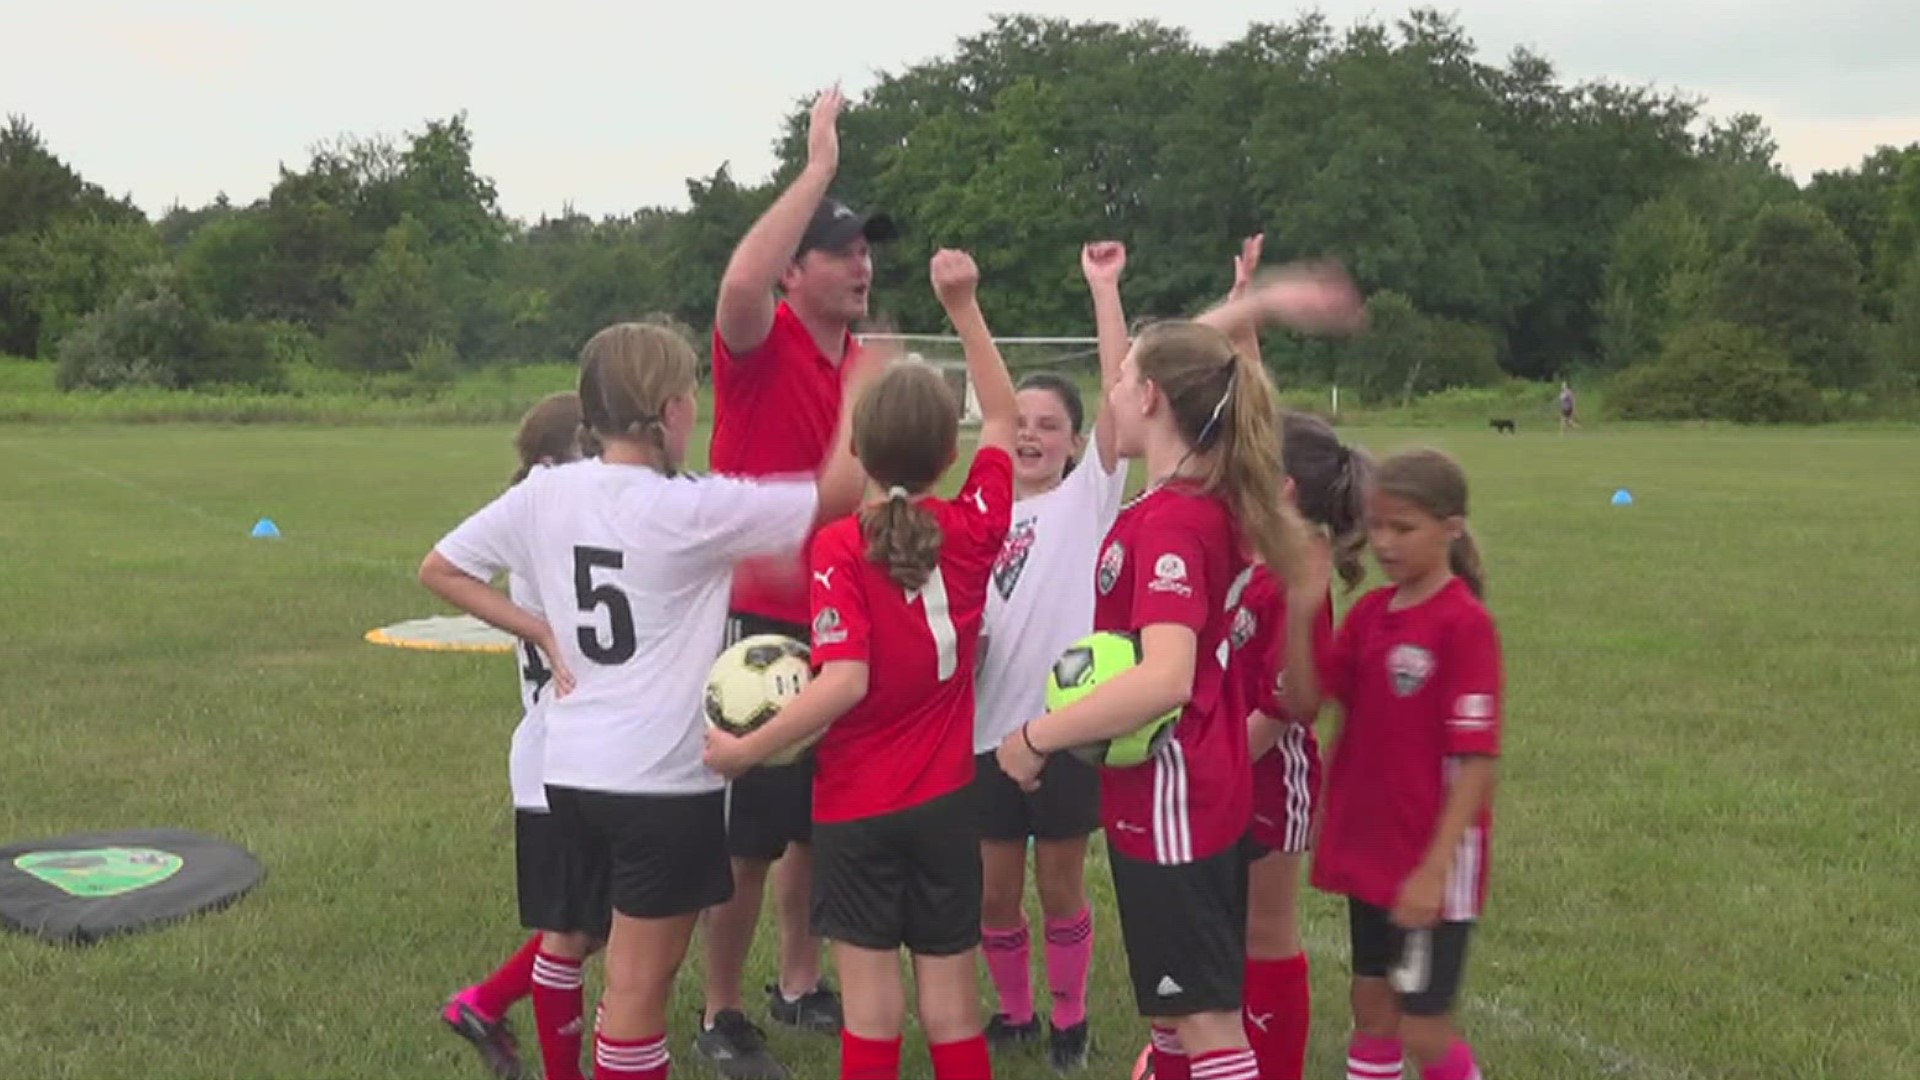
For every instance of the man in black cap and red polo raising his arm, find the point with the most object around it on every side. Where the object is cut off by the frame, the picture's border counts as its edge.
(779, 372)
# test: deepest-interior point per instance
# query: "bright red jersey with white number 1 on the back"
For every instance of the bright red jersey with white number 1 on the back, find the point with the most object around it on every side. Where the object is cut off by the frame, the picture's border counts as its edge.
(911, 739)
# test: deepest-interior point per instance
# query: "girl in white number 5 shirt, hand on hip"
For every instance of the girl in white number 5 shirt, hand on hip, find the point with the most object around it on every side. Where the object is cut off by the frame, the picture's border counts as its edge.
(633, 564)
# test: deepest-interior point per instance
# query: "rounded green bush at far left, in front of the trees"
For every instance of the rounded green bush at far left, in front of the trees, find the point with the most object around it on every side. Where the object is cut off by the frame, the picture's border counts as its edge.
(158, 333)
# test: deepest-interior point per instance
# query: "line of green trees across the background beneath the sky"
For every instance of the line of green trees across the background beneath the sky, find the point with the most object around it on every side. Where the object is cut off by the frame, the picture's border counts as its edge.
(1504, 222)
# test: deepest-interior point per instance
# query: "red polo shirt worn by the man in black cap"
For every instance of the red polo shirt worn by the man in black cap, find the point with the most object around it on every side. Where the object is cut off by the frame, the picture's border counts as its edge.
(775, 414)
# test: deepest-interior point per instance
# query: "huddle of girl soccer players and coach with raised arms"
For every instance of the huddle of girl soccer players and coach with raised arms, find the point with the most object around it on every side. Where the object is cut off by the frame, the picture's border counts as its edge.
(898, 797)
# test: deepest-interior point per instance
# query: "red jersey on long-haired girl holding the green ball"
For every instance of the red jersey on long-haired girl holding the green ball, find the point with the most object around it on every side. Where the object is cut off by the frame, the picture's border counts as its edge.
(1172, 558)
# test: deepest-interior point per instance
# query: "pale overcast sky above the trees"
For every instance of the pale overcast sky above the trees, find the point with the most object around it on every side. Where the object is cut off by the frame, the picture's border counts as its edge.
(612, 107)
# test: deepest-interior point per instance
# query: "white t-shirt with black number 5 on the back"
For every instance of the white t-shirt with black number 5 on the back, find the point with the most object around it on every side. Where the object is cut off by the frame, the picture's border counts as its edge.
(635, 572)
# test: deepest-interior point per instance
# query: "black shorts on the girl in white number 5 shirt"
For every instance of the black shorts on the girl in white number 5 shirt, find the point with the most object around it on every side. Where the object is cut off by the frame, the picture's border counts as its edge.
(646, 856)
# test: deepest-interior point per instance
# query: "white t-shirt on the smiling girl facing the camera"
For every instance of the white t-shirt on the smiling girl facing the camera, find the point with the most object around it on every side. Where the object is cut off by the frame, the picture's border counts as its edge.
(1042, 595)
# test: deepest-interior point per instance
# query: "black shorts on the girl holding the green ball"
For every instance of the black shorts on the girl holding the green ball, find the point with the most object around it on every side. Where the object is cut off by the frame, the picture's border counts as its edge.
(1186, 931)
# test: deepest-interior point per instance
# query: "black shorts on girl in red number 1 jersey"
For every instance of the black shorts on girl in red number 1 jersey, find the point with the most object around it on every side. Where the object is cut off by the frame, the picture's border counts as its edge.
(901, 879)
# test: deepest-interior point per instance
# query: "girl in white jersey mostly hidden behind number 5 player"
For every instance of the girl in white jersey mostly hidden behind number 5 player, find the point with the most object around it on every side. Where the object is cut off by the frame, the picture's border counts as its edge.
(548, 966)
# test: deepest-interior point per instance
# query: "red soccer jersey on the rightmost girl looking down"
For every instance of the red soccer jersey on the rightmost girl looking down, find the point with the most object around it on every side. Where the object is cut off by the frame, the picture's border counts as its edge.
(1420, 687)
